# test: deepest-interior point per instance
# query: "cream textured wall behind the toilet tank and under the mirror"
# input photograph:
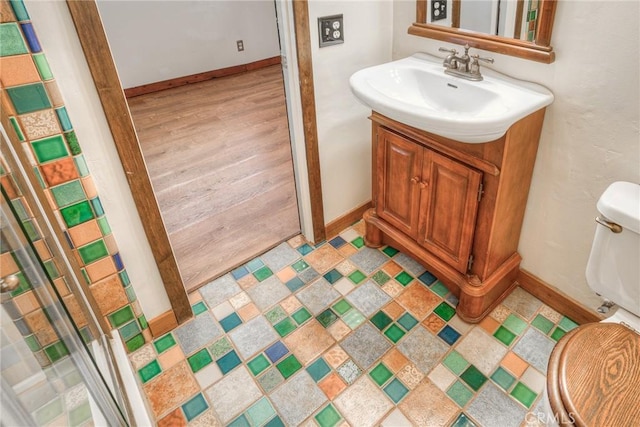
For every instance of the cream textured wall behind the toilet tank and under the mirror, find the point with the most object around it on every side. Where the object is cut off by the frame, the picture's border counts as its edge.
(590, 136)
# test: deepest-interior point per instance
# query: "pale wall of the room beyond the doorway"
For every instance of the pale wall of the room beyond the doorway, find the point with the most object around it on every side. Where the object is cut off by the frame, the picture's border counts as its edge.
(154, 41)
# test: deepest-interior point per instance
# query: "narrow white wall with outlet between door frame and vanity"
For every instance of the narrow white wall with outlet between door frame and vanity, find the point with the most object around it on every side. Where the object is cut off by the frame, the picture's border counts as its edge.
(344, 133)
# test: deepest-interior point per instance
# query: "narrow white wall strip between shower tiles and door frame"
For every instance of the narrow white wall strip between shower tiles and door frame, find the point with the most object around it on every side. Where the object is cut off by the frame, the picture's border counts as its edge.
(61, 46)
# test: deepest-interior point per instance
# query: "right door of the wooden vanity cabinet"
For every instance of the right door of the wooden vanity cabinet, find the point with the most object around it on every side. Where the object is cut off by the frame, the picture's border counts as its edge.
(448, 206)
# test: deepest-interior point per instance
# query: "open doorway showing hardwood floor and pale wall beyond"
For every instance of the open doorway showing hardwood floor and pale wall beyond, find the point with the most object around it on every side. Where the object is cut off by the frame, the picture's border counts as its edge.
(217, 151)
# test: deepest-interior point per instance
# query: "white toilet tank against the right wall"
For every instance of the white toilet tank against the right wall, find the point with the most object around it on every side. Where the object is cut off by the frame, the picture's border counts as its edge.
(613, 269)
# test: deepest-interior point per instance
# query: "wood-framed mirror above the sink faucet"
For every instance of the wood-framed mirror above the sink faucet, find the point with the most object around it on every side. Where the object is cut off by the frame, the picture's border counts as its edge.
(511, 27)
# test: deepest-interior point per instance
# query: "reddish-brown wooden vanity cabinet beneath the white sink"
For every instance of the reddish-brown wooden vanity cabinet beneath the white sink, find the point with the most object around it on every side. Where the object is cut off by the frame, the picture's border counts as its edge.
(455, 207)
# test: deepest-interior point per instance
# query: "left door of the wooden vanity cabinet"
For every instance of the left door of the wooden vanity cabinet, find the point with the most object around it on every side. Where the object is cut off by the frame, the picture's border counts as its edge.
(399, 166)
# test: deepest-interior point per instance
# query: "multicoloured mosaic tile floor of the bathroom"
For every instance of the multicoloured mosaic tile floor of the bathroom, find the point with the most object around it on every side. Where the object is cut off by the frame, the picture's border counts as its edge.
(342, 334)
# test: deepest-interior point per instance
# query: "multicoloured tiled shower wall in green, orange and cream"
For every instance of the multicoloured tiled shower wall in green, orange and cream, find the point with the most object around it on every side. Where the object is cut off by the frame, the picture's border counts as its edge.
(31, 99)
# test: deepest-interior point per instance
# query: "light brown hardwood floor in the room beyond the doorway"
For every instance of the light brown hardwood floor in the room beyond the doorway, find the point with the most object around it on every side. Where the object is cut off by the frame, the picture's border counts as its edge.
(219, 158)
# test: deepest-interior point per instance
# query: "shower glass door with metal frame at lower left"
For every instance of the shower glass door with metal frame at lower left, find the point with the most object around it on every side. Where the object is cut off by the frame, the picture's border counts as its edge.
(50, 374)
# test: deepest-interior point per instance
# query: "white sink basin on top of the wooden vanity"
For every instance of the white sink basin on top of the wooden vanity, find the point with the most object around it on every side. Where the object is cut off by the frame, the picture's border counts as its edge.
(416, 91)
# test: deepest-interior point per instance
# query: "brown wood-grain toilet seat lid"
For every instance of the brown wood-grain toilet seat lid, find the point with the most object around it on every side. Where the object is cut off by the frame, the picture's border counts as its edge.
(599, 375)
